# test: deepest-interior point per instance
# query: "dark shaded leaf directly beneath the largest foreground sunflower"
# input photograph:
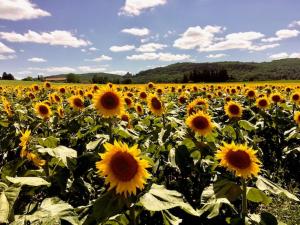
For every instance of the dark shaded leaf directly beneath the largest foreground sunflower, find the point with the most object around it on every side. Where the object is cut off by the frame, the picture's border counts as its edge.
(106, 206)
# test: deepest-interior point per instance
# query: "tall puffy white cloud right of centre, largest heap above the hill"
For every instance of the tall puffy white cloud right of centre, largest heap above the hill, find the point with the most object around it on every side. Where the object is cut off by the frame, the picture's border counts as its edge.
(197, 37)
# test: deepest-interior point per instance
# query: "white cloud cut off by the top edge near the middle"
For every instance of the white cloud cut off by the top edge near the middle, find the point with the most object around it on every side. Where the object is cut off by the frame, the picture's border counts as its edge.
(135, 7)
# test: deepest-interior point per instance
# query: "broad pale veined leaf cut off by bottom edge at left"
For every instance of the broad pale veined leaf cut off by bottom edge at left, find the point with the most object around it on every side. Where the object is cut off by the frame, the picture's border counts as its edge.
(51, 211)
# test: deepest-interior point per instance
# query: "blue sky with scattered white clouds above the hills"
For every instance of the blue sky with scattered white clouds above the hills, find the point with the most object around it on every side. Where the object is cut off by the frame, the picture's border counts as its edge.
(116, 36)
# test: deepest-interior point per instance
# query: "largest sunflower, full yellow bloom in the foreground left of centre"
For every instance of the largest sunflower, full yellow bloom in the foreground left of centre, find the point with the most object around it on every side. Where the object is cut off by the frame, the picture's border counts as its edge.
(123, 168)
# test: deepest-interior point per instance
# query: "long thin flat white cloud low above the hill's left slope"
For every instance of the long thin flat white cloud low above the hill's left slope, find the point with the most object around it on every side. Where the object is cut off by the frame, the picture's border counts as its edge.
(159, 56)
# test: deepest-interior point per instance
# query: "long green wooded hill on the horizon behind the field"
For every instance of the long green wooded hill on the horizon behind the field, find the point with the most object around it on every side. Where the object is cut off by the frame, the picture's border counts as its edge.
(284, 69)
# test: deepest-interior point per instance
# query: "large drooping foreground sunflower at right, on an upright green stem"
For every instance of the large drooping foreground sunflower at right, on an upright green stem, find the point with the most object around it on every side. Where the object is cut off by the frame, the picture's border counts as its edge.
(239, 159)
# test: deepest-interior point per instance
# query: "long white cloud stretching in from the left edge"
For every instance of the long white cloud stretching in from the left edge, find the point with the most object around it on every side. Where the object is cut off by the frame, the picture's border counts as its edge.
(56, 37)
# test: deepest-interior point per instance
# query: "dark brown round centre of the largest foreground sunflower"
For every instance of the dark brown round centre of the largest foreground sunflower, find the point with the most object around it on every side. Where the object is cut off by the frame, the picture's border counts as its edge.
(124, 166)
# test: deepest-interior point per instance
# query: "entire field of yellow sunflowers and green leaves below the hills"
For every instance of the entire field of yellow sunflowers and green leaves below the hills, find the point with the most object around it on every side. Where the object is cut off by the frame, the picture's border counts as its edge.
(206, 154)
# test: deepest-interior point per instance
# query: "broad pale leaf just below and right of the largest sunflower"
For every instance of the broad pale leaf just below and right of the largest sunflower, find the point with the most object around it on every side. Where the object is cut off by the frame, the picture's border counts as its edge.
(159, 198)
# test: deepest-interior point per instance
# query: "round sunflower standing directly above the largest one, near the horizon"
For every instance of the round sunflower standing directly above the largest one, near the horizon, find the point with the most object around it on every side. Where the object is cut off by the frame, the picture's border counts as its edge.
(108, 102)
